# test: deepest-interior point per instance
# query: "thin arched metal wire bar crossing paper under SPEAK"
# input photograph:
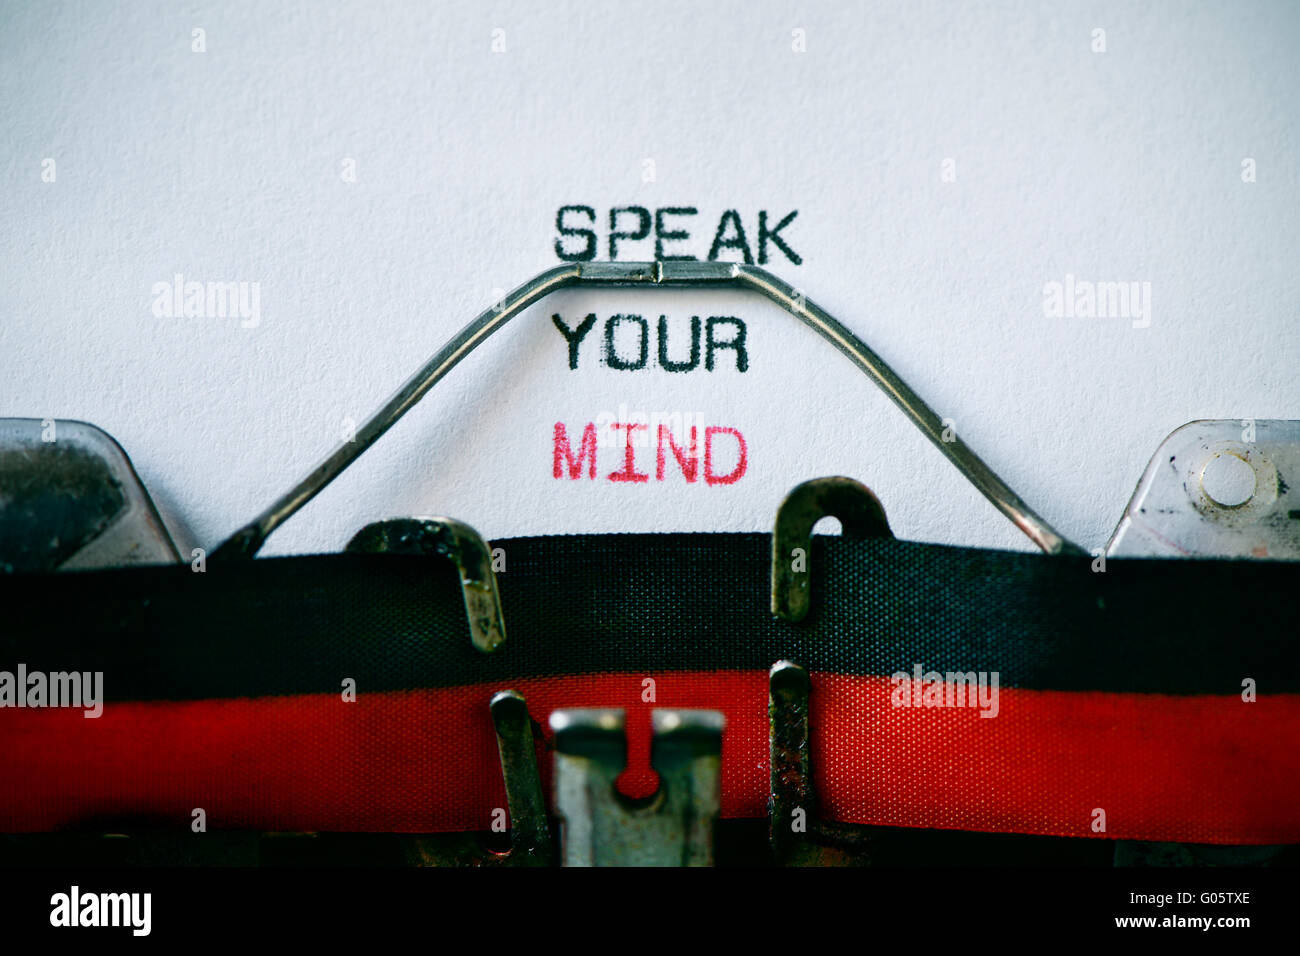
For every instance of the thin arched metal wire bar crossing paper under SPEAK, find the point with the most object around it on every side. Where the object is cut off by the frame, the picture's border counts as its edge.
(250, 539)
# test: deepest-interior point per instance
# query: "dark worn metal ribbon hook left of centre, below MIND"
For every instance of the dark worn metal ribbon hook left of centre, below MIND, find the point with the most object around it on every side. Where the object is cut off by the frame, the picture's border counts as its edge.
(449, 539)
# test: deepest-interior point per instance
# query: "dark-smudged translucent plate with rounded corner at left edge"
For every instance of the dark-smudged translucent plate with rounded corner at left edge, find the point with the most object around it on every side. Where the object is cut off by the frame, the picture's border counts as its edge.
(71, 500)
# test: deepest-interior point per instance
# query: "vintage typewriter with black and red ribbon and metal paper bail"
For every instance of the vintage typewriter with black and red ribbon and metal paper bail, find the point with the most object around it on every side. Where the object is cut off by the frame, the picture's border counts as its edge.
(678, 699)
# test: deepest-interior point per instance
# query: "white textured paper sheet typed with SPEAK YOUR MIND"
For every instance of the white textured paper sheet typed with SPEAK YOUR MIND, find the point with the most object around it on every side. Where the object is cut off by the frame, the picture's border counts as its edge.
(228, 166)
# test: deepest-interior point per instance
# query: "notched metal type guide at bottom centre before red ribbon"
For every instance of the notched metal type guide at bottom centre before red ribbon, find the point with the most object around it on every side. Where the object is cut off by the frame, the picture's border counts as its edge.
(673, 828)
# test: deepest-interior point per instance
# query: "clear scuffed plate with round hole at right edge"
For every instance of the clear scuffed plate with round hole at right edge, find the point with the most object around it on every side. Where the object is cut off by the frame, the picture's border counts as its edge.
(1217, 490)
